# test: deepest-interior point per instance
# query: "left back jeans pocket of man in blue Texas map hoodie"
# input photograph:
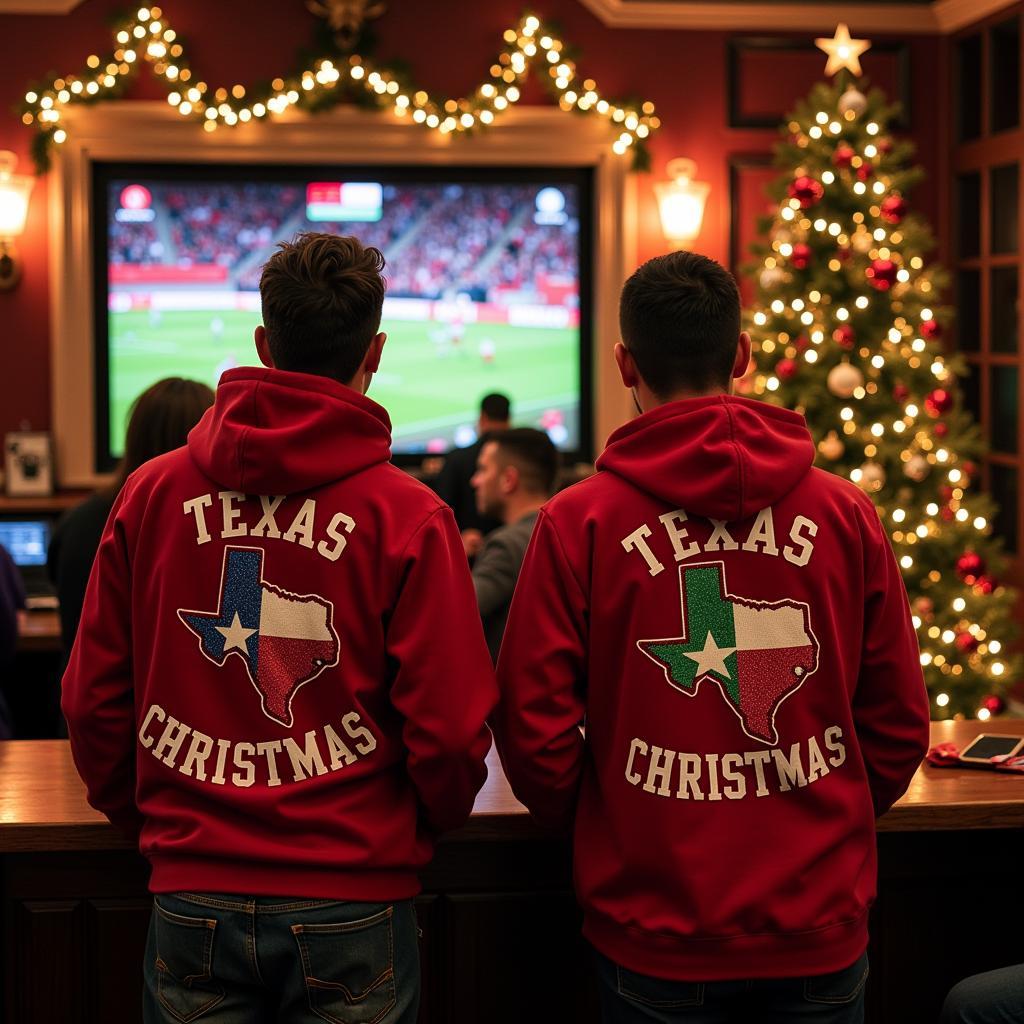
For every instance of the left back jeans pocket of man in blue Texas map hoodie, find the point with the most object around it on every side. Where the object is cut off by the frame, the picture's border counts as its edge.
(185, 960)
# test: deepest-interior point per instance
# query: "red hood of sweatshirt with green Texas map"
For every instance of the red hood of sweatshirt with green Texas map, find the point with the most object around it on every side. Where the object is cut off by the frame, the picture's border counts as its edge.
(720, 457)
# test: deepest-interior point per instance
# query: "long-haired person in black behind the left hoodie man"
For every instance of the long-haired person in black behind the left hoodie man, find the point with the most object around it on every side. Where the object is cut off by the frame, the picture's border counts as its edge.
(160, 421)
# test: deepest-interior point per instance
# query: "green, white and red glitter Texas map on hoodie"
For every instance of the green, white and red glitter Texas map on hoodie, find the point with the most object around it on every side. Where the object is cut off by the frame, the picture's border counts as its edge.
(759, 654)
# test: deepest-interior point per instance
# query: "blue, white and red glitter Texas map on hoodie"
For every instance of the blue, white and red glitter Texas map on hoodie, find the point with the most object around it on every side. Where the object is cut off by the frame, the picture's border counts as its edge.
(285, 639)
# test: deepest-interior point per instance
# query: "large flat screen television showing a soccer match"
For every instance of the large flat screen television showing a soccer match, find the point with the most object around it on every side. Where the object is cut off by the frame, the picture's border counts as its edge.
(489, 274)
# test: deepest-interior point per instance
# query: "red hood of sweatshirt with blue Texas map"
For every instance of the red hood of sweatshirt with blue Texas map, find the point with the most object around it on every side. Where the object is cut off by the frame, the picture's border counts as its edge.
(276, 433)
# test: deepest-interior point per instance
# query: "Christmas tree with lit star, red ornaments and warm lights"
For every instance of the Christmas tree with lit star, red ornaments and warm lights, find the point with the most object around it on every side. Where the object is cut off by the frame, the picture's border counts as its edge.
(848, 328)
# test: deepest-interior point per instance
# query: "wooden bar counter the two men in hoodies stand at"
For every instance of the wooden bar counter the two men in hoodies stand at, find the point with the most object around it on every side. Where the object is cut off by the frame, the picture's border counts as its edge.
(500, 925)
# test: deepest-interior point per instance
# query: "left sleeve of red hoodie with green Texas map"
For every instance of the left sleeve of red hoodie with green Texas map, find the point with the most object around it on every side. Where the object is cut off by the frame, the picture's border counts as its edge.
(542, 672)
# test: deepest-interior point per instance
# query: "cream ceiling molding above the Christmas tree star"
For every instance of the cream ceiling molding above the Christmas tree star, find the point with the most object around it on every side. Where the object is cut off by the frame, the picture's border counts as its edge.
(941, 17)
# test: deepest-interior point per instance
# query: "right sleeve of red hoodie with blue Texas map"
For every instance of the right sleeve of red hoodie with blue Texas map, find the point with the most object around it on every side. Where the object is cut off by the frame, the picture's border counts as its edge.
(445, 684)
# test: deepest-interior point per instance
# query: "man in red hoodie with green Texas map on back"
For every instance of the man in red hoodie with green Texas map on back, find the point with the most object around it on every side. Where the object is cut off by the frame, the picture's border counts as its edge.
(710, 668)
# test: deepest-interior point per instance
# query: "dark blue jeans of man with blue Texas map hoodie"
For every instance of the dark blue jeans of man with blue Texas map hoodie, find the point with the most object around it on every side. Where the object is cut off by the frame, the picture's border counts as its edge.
(233, 960)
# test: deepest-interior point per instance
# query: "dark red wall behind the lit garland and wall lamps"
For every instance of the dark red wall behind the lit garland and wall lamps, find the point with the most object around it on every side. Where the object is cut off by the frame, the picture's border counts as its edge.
(449, 49)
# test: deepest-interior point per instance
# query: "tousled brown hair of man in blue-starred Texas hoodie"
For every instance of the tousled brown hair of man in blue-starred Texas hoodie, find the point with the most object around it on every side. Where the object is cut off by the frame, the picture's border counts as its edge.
(323, 296)
